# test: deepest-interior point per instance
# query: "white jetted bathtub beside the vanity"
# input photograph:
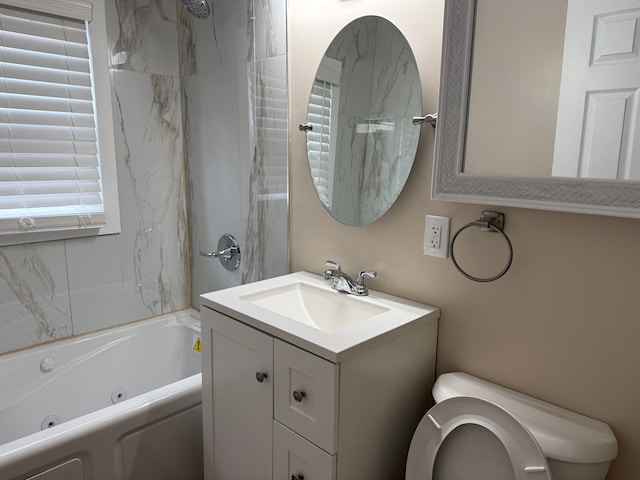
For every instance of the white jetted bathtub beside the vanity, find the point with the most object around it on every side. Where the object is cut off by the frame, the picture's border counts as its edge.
(120, 404)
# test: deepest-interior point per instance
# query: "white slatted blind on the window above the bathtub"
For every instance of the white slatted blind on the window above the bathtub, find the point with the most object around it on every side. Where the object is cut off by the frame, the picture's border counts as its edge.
(50, 176)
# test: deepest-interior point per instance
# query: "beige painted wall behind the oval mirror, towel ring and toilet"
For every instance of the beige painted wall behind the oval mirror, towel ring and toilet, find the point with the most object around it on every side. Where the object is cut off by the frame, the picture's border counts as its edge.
(562, 325)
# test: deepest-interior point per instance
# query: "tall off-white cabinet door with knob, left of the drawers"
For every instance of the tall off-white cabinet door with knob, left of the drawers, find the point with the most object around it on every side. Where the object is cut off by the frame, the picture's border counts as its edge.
(239, 360)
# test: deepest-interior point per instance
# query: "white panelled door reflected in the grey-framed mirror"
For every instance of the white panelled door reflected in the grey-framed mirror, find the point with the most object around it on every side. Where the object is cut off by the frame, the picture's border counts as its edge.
(597, 124)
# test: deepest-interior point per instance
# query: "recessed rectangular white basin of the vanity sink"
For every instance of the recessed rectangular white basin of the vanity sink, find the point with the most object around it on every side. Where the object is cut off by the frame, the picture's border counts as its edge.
(326, 310)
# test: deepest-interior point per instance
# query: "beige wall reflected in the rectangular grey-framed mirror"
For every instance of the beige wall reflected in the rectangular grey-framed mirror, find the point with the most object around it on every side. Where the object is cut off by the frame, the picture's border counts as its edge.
(515, 87)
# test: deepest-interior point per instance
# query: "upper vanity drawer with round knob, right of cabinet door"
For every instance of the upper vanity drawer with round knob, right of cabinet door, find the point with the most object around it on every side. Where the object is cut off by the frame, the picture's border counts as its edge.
(305, 389)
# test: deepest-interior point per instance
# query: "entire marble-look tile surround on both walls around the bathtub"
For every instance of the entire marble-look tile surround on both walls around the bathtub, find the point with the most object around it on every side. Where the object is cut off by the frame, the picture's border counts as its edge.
(209, 95)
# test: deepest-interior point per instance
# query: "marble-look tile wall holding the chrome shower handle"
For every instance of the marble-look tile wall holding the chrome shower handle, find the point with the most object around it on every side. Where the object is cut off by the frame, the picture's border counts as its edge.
(234, 71)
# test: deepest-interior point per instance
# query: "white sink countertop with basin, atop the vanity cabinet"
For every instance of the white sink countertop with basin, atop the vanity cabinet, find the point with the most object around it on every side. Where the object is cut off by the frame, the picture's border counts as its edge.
(302, 309)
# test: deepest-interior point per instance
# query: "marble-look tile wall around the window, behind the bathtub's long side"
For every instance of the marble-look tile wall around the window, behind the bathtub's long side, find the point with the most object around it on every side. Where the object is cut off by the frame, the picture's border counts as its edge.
(52, 290)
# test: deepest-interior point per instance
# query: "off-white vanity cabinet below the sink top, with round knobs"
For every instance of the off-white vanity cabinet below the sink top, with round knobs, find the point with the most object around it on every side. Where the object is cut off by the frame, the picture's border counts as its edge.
(272, 409)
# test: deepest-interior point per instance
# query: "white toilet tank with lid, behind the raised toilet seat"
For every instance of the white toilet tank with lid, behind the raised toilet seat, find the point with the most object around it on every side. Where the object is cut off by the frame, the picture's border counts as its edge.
(576, 447)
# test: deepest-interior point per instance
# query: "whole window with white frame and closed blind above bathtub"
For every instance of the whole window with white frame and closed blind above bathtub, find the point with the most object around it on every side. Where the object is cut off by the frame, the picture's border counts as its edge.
(57, 158)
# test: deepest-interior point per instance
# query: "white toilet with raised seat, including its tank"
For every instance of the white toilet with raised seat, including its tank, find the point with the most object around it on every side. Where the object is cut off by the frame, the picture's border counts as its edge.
(480, 431)
